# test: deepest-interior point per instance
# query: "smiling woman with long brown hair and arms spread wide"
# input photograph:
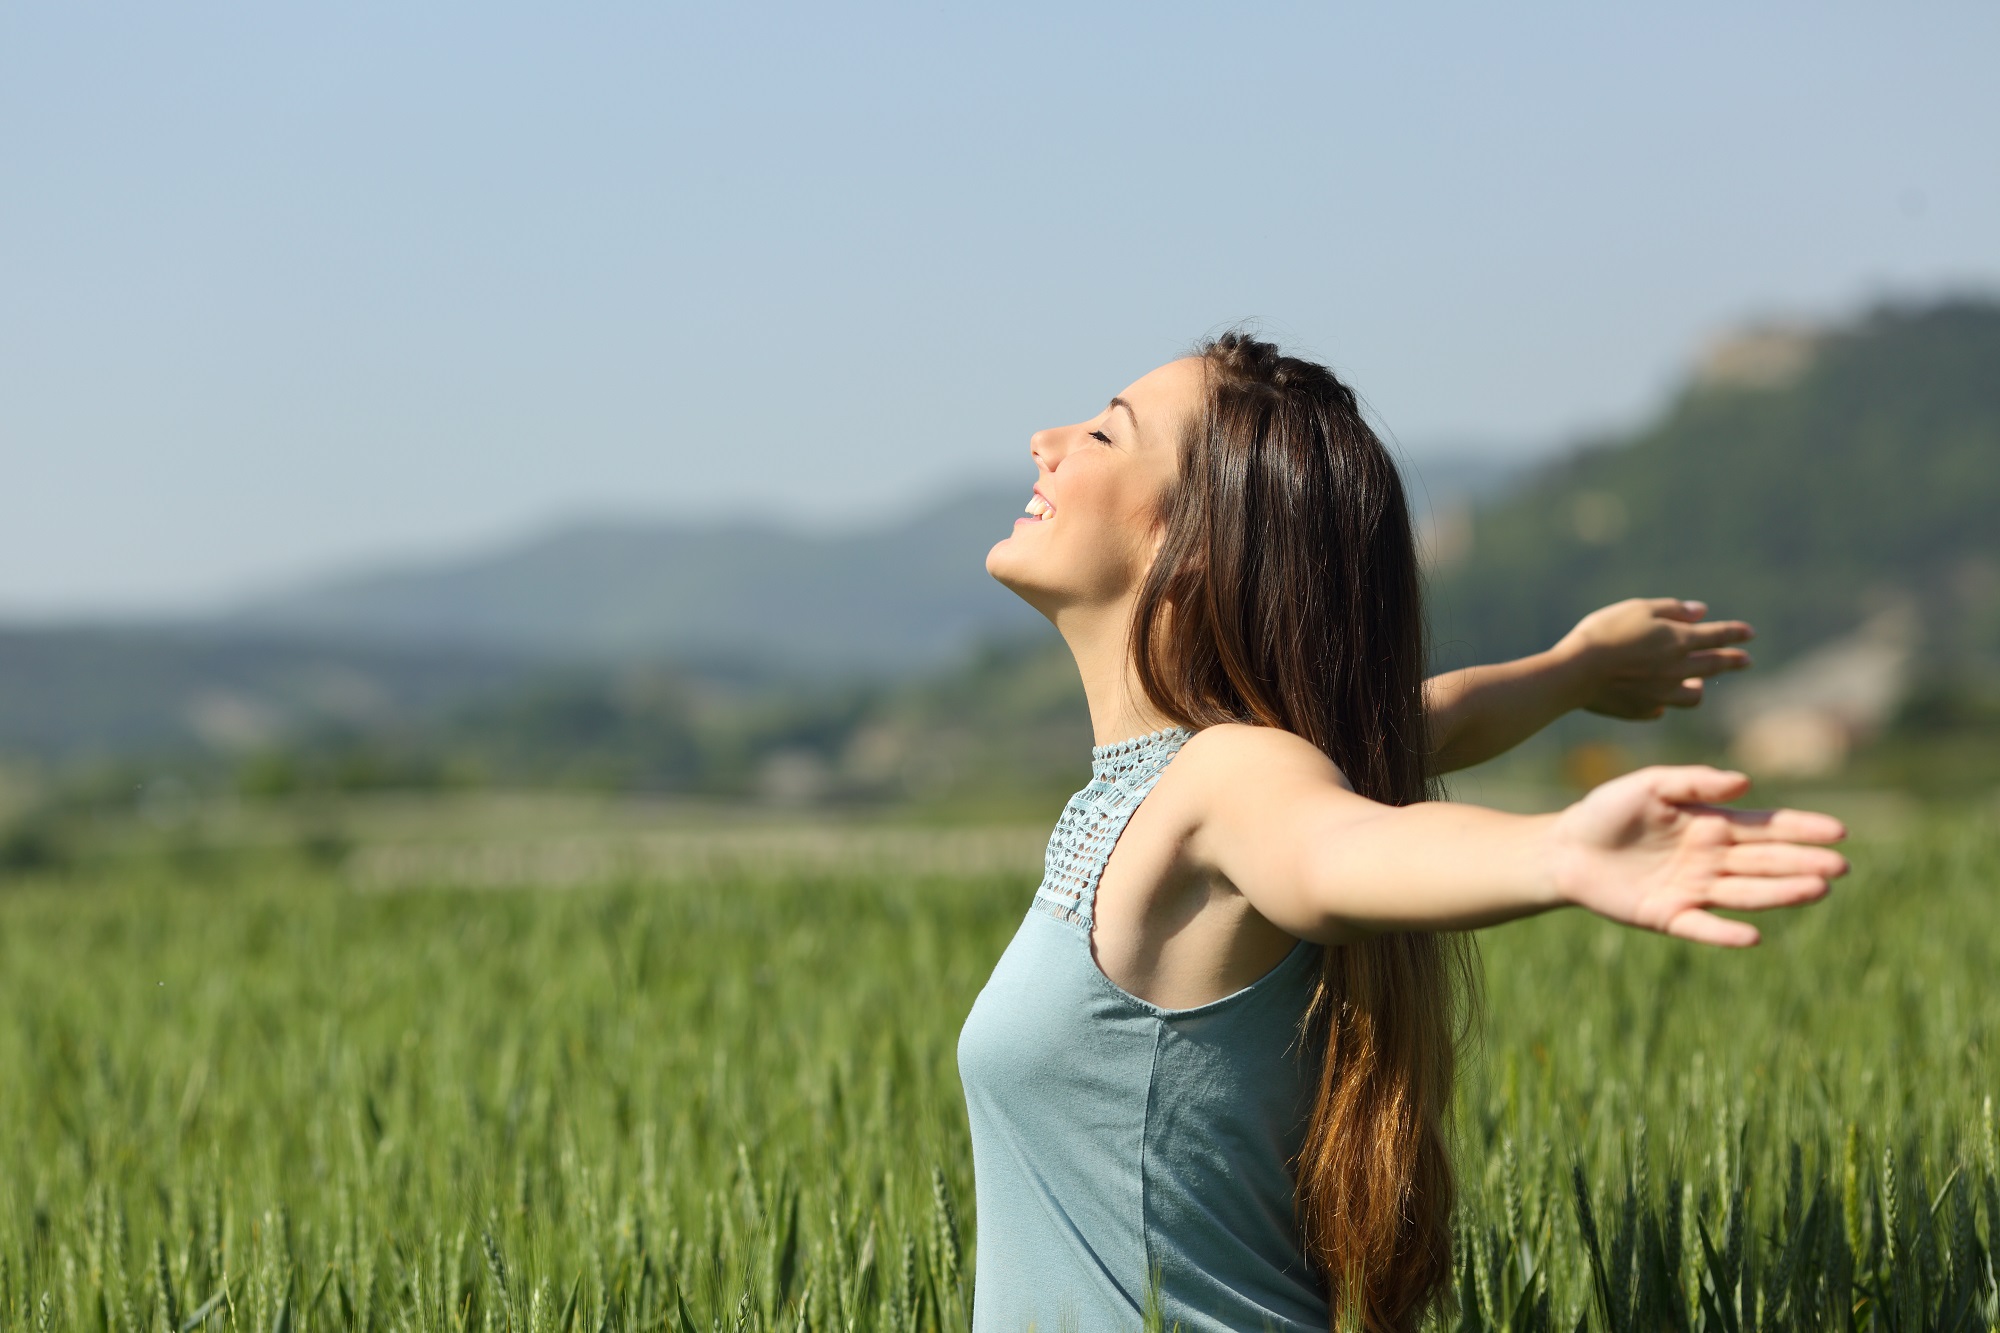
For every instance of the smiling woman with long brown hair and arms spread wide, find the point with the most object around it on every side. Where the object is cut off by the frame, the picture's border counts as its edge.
(1215, 1064)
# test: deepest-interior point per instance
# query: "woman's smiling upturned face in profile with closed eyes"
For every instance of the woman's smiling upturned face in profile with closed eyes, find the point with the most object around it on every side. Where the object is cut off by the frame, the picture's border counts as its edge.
(1093, 525)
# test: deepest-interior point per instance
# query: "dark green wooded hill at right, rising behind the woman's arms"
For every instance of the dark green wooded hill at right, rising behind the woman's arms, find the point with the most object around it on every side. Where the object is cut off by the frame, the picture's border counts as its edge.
(1805, 479)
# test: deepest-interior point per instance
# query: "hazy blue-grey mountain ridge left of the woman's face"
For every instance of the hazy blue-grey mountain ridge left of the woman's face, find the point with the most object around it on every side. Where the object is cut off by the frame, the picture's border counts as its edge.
(893, 601)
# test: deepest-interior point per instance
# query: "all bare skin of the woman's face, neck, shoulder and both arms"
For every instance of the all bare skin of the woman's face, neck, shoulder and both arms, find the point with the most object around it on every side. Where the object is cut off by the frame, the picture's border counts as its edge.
(1253, 840)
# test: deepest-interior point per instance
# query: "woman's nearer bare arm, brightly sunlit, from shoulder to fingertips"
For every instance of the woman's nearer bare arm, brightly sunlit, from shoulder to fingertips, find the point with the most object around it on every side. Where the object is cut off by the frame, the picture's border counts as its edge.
(1651, 850)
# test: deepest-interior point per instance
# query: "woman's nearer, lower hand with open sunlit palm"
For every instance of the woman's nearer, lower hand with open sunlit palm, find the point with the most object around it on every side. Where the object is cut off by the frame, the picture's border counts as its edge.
(1653, 852)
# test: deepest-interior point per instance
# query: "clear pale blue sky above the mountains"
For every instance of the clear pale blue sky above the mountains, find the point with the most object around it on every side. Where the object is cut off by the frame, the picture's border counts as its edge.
(293, 287)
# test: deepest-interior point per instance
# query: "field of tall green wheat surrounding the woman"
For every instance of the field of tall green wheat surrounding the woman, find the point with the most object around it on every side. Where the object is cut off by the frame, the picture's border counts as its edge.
(237, 1092)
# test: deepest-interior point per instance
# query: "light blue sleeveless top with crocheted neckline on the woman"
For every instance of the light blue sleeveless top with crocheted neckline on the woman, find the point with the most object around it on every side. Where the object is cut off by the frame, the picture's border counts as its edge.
(1117, 1144)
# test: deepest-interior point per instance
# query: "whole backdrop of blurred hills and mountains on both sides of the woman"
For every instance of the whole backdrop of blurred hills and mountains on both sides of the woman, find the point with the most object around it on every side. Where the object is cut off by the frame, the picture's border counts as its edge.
(1807, 479)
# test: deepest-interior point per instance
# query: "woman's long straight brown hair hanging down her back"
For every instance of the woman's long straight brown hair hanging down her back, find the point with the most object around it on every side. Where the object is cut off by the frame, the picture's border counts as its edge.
(1287, 593)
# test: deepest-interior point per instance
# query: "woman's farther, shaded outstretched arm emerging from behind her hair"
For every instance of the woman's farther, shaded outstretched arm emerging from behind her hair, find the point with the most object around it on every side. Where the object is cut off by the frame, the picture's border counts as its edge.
(1635, 659)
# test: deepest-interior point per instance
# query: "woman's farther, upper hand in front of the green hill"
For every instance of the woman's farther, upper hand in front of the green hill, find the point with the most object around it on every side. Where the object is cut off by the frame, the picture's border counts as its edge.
(1641, 657)
